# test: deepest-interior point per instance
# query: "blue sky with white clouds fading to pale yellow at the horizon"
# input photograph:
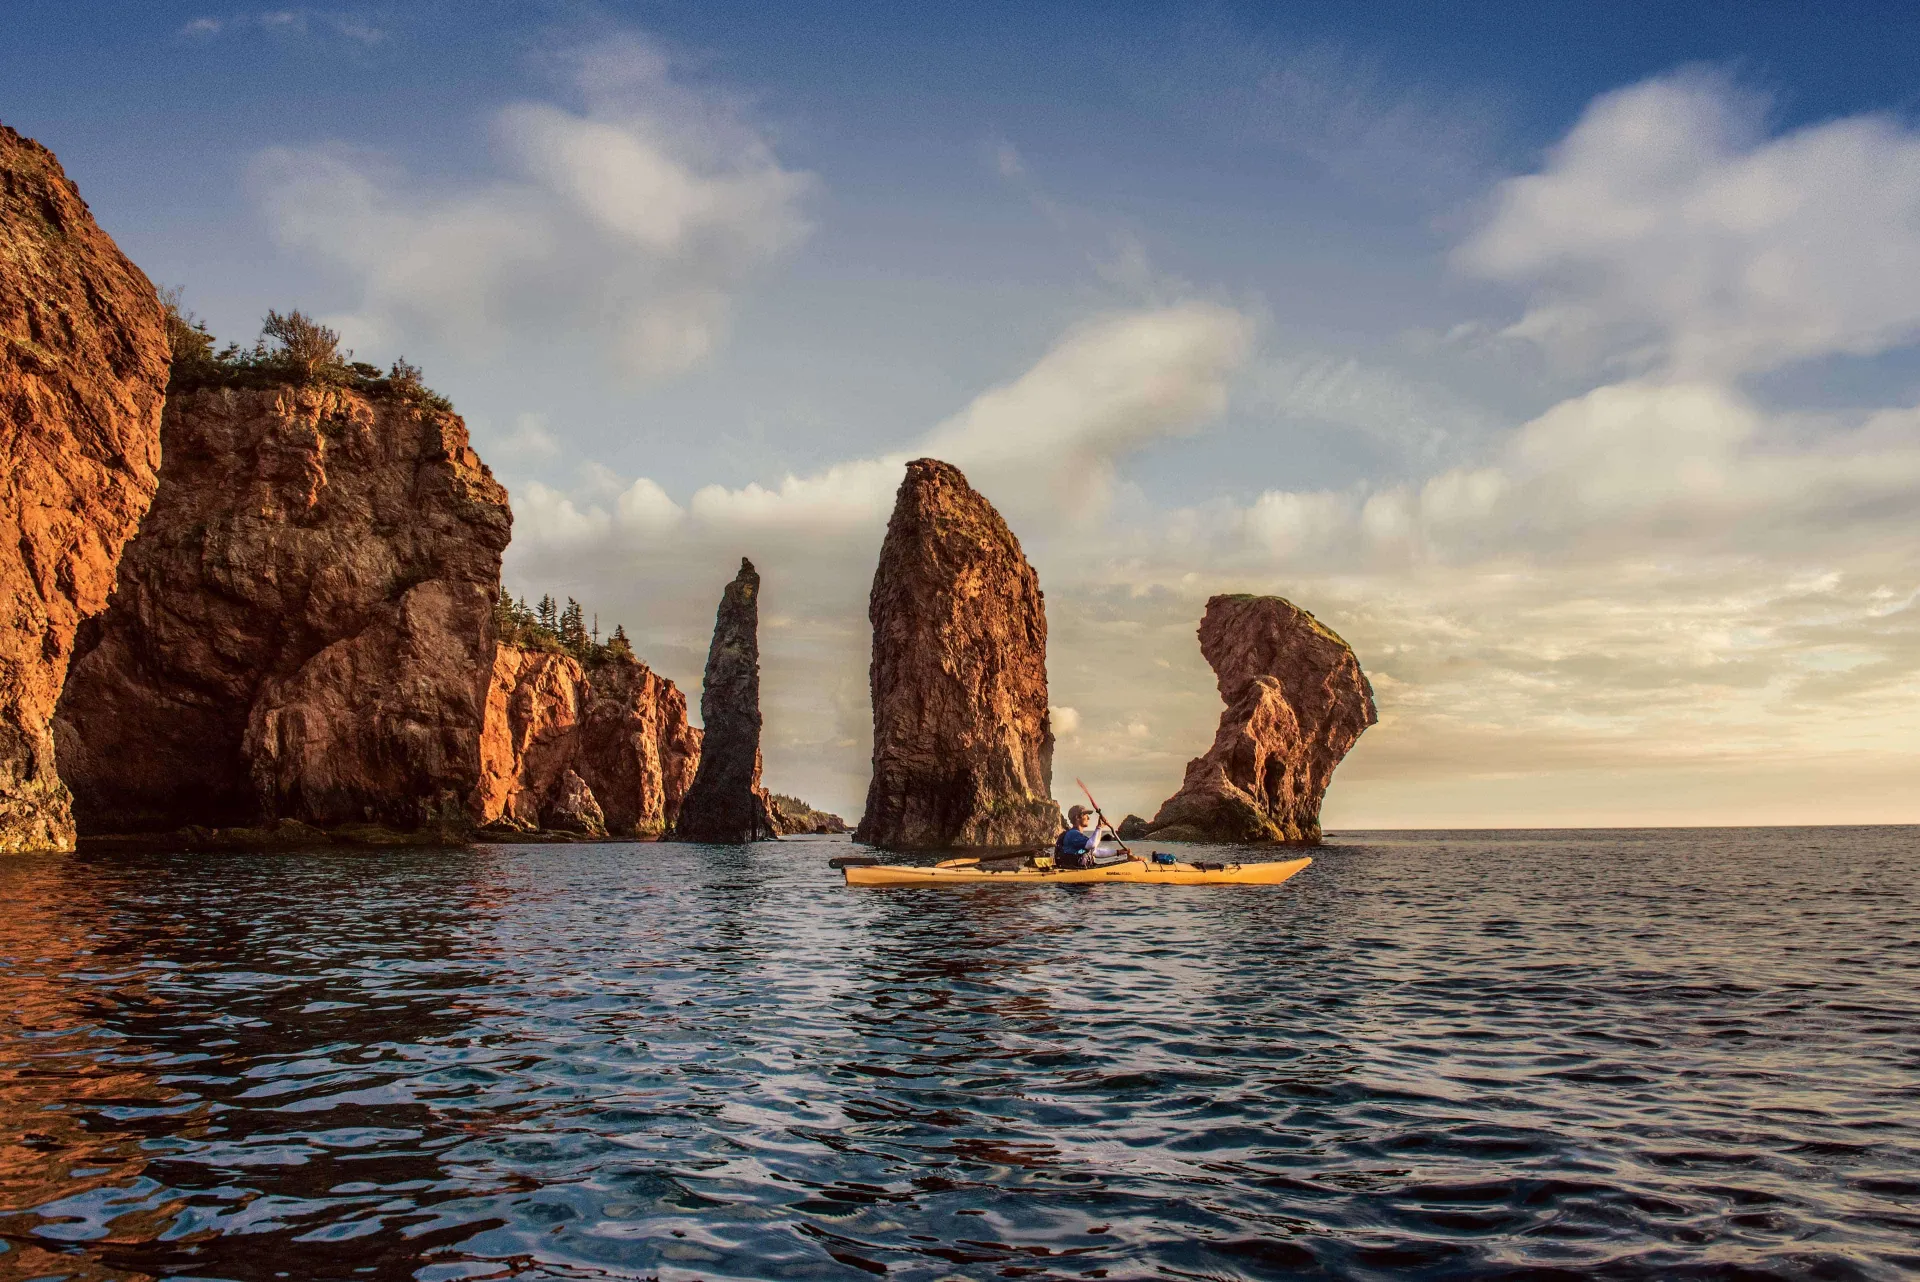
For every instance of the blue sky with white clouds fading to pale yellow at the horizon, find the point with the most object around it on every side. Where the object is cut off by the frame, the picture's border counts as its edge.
(1564, 362)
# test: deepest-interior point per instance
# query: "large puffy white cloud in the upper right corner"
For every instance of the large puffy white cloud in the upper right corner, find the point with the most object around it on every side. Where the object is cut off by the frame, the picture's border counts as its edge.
(1669, 233)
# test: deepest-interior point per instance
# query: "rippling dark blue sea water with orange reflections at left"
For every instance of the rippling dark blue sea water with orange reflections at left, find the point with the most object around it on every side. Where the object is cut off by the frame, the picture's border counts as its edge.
(1573, 1055)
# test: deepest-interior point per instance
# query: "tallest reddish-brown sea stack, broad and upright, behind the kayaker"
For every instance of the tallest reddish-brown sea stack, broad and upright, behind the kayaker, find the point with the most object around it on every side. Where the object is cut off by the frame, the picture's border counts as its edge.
(963, 748)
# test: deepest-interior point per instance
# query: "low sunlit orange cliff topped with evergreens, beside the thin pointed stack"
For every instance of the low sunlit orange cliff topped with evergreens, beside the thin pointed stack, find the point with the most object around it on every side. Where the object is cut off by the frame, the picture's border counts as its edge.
(615, 726)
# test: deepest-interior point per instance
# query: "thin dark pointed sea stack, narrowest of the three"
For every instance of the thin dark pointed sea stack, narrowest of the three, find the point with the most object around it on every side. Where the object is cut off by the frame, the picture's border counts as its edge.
(727, 801)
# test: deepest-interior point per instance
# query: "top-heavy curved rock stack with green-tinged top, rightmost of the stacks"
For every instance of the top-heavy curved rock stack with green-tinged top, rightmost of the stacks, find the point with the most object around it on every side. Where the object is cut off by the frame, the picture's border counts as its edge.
(1297, 701)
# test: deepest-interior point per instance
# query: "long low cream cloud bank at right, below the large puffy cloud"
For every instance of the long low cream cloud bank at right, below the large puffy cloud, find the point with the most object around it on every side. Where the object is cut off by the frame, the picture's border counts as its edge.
(1627, 469)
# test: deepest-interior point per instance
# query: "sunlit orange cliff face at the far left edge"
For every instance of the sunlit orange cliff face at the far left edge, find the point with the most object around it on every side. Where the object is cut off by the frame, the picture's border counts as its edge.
(84, 375)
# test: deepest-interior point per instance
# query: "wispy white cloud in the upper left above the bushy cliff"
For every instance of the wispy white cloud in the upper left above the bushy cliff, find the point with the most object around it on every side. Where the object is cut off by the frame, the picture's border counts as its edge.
(633, 218)
